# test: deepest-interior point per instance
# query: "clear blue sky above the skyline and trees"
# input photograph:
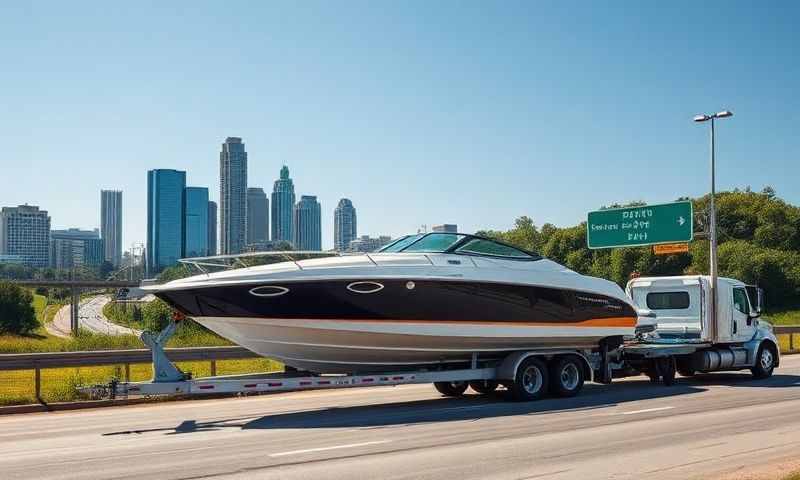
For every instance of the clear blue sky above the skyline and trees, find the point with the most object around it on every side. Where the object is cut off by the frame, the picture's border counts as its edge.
(421, 112)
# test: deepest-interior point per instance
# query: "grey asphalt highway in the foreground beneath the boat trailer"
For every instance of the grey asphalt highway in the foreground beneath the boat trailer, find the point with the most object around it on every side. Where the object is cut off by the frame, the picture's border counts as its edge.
(631, 429)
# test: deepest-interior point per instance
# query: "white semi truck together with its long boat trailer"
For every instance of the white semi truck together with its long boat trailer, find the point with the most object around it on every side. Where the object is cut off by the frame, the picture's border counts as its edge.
(678, 332)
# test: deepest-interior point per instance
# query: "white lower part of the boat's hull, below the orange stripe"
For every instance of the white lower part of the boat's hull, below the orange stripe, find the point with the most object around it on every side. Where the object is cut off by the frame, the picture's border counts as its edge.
(347, 346)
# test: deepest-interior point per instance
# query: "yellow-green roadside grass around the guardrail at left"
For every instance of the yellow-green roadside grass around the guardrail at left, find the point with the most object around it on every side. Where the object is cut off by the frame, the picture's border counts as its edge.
(17, 387)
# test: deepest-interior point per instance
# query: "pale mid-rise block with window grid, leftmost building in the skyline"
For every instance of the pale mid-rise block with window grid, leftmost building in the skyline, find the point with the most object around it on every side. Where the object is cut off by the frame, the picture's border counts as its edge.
(25, 235)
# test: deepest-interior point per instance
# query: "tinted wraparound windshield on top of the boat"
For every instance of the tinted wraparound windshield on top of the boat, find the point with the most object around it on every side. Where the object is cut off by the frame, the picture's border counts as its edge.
(440, 242)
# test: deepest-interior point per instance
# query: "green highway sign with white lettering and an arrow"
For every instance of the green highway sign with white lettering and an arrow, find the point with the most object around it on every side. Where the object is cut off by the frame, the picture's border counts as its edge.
(638, 226)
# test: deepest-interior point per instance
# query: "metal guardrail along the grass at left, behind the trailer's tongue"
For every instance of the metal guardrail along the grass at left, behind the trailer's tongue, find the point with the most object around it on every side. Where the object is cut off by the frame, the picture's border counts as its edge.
(38, 361)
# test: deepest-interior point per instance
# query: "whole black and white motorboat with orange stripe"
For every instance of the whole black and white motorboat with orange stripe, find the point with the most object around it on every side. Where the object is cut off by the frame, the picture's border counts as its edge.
(428, 299)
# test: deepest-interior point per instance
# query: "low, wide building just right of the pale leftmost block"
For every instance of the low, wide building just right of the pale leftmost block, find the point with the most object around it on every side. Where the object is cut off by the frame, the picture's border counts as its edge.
(76, 248)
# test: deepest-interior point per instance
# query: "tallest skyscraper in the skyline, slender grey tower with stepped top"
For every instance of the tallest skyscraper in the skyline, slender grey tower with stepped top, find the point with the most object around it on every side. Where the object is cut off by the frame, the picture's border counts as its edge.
(232, 196)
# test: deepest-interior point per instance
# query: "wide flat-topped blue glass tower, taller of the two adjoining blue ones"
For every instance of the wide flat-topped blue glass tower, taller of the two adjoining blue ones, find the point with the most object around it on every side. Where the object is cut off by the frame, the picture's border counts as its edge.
(165, 218)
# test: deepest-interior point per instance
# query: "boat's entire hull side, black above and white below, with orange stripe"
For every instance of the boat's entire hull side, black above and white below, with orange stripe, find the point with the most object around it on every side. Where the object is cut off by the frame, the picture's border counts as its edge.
(373, 324)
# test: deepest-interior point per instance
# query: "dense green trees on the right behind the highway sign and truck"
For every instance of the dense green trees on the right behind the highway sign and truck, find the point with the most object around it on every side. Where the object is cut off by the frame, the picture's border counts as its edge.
(758, 234)
